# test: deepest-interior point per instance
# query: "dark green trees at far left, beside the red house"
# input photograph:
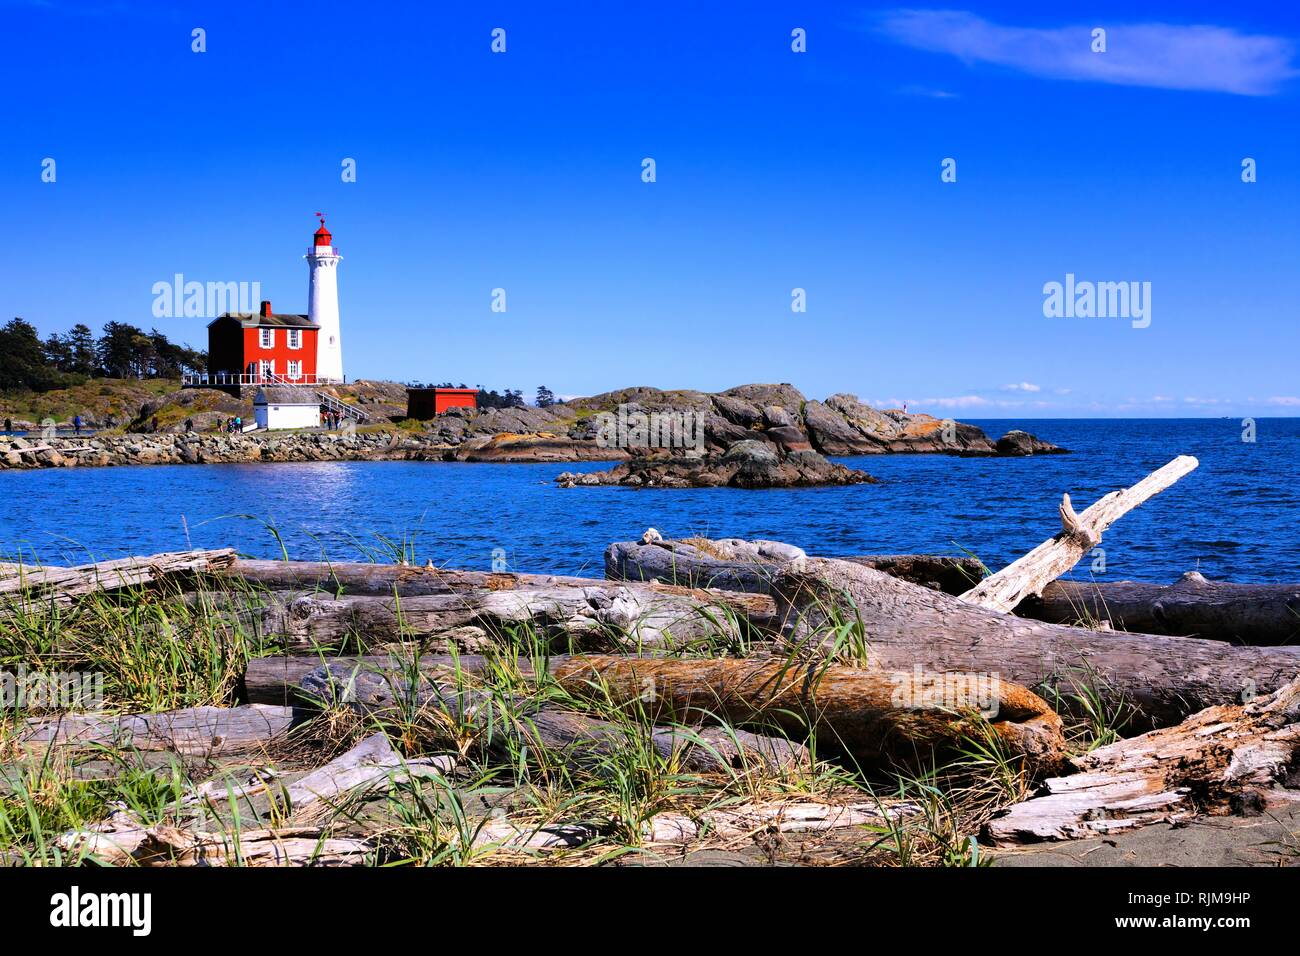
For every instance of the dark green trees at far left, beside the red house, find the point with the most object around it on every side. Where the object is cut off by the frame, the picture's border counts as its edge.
(120, 352)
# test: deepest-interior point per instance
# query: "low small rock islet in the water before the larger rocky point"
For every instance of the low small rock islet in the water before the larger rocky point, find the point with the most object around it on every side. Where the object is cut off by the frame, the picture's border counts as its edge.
(748, 464)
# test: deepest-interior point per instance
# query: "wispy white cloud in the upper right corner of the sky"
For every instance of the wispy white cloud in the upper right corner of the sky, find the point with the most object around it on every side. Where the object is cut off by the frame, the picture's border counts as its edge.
(1160, 55)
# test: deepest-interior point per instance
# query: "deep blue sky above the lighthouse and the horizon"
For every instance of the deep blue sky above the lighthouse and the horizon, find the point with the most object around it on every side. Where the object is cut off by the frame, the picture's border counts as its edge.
(775, 171)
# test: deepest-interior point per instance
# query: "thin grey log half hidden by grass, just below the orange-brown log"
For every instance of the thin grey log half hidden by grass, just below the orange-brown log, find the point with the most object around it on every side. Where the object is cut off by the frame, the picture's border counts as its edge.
(545, 726)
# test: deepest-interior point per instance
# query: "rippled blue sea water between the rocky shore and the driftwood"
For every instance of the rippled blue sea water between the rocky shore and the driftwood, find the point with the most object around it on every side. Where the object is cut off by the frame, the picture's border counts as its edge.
(1237, 517)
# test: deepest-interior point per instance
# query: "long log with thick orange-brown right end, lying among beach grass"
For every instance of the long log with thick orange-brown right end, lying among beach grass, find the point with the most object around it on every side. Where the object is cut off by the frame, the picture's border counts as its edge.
(869, 713)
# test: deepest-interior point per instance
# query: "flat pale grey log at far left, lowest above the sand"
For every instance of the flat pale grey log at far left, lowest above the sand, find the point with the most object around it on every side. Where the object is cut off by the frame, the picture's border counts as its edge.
(192, 730)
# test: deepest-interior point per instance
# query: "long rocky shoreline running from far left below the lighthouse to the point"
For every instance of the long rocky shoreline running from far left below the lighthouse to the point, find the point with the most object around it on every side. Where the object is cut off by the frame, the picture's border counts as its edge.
(699, 426)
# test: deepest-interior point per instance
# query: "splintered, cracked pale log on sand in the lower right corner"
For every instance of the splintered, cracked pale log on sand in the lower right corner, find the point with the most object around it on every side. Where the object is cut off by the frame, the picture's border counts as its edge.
(1230, 758)
